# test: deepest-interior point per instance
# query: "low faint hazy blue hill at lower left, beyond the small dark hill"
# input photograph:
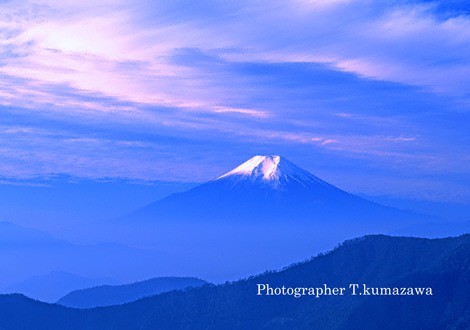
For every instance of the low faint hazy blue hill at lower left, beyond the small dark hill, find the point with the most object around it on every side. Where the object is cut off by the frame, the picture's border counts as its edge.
(51, 286)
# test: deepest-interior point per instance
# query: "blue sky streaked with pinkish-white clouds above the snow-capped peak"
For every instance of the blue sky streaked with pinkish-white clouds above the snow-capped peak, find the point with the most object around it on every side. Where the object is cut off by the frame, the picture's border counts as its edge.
(372, 96)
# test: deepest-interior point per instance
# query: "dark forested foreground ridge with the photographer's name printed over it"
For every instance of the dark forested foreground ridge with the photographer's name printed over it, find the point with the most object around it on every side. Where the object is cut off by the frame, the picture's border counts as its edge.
(378, 261)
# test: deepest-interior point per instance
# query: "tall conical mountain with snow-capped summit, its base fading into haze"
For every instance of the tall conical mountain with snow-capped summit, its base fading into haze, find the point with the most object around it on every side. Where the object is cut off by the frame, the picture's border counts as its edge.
(260, 215)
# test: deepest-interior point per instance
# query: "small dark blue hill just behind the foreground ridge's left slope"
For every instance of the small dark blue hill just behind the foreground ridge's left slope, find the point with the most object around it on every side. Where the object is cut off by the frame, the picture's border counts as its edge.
(107, 295)
